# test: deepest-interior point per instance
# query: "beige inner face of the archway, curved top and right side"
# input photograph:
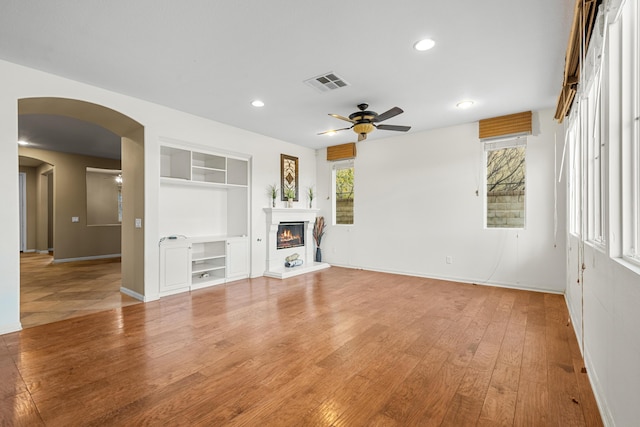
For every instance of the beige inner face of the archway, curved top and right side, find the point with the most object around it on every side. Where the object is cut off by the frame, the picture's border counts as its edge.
(132, 166)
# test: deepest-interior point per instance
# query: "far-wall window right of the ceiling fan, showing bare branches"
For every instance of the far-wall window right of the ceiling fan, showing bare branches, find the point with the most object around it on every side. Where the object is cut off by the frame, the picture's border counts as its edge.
(505, 197)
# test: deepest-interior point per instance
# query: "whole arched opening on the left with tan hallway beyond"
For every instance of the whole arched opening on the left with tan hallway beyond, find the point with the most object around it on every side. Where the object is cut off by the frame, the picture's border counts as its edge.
(60, 230)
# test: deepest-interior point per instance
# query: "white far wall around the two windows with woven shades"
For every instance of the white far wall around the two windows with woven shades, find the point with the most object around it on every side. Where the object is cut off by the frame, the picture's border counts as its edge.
(416, 204)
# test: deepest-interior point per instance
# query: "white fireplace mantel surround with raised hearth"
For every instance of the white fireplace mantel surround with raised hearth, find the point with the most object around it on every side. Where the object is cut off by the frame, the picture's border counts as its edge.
(276, 258)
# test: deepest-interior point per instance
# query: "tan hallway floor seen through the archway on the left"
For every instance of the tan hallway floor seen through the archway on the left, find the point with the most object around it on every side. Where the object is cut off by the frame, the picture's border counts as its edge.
(51, 292)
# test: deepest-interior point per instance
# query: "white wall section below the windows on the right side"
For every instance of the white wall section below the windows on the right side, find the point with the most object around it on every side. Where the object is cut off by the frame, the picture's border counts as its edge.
(610, 292)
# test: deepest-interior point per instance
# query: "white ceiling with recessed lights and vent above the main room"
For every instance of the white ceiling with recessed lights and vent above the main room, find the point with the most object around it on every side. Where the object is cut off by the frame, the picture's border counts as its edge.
(212, 59)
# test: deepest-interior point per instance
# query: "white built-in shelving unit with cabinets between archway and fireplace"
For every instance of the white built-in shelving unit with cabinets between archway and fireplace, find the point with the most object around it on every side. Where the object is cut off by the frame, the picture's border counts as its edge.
(205, 220)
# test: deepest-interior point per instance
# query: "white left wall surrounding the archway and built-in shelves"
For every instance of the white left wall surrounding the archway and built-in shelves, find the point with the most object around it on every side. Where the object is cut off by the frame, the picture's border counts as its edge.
(21, 82)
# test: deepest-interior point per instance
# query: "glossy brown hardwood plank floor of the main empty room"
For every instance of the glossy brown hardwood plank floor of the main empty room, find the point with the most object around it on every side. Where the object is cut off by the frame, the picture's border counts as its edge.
(337, 347)
